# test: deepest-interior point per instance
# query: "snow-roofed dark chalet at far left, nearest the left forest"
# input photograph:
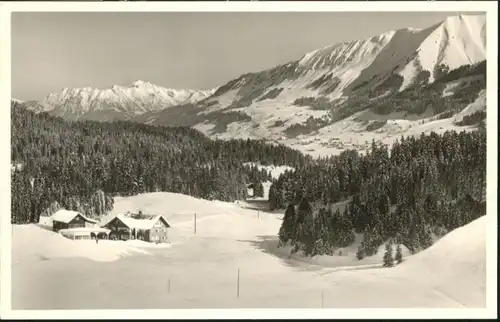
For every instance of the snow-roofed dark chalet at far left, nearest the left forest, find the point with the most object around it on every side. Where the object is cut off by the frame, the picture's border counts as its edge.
(74, 225)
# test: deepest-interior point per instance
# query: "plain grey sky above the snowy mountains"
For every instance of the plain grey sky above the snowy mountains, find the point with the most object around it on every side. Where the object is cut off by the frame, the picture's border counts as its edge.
(51, 51)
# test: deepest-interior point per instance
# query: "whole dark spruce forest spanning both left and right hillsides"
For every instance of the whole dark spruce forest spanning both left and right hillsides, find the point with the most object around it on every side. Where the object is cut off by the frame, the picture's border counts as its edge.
(415, 192)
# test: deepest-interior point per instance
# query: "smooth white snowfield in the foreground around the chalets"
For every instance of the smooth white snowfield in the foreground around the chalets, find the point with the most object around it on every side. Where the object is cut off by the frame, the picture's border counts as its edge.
(201, 270)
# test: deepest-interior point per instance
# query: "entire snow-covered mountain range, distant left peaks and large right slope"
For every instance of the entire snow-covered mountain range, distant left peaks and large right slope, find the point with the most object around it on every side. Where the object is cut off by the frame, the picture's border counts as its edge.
(340, 96)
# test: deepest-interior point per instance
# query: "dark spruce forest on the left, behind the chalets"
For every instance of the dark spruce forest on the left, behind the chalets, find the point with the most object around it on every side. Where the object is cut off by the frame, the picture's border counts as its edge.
(61, 160)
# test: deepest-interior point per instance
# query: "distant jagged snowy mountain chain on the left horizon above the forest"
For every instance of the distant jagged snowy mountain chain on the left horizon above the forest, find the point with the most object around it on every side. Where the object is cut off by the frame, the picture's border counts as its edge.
(117, 102)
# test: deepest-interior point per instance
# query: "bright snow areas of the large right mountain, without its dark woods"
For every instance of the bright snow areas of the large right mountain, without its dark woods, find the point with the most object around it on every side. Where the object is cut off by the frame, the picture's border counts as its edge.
(456, 41)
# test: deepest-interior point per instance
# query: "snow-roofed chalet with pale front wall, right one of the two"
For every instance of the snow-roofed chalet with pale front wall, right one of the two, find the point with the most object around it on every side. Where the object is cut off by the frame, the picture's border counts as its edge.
(149, 228)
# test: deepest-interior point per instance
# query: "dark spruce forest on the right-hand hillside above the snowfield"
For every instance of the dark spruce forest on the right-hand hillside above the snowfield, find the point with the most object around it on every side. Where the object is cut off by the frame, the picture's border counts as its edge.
(419, 190)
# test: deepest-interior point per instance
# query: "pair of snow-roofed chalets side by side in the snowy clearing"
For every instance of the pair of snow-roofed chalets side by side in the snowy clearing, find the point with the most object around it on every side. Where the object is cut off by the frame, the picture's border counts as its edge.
(128, 226)
